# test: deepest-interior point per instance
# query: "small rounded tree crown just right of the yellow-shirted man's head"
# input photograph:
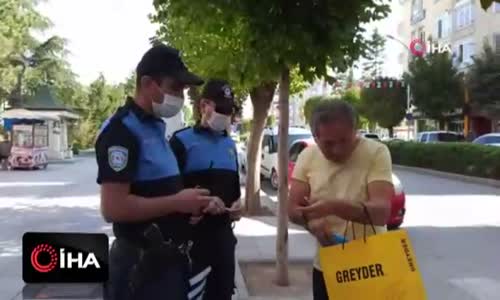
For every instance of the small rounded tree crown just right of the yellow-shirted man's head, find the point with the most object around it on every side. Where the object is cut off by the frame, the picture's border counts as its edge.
(384, 106)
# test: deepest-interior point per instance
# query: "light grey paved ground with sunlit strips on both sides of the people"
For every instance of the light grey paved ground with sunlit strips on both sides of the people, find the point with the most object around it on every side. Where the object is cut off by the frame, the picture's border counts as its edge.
(454, 226)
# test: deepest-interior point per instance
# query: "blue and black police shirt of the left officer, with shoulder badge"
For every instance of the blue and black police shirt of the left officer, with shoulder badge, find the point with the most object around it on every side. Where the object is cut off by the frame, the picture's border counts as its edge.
(131, 148)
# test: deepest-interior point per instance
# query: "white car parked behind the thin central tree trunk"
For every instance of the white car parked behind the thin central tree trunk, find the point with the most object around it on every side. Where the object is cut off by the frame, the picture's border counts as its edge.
(269, 162)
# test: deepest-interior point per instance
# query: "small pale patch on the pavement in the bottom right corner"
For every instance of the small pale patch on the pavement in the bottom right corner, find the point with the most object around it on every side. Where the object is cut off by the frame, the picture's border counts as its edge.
(481, 288)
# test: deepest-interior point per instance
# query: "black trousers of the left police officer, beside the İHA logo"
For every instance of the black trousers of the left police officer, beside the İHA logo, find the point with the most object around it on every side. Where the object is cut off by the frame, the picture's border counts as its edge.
(171, 284)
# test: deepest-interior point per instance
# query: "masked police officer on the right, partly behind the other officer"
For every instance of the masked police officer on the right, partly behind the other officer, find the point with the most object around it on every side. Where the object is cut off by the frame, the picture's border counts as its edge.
(207, 158)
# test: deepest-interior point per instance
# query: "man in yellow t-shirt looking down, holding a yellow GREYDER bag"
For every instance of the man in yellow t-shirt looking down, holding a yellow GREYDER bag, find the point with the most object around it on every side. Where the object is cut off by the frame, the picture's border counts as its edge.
(334, 181)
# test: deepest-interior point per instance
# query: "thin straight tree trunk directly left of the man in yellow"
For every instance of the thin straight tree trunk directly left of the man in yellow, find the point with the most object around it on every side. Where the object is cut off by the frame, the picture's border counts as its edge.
(282, 238)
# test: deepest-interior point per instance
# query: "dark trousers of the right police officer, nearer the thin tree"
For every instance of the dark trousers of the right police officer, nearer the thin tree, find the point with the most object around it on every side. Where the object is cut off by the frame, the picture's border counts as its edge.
(215, 248)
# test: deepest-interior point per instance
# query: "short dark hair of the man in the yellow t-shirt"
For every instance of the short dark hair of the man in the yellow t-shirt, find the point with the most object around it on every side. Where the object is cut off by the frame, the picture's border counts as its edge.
(329, 111)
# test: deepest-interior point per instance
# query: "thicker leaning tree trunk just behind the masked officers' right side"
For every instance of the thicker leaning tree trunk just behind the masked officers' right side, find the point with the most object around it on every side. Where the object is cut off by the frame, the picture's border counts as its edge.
(261, 98)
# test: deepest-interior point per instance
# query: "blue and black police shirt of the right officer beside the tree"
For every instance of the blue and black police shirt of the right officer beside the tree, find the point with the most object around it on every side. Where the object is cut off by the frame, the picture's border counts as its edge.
(208, 159)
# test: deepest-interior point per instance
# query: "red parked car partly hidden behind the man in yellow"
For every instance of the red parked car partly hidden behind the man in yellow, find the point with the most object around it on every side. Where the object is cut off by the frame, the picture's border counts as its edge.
(398, 201)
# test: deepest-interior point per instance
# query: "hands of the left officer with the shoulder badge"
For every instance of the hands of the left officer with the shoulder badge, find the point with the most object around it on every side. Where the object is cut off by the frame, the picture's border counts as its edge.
(193, 201)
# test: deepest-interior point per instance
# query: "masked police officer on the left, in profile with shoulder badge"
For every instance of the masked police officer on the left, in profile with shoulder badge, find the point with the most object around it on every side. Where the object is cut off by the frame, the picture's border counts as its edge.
(141, 187)
